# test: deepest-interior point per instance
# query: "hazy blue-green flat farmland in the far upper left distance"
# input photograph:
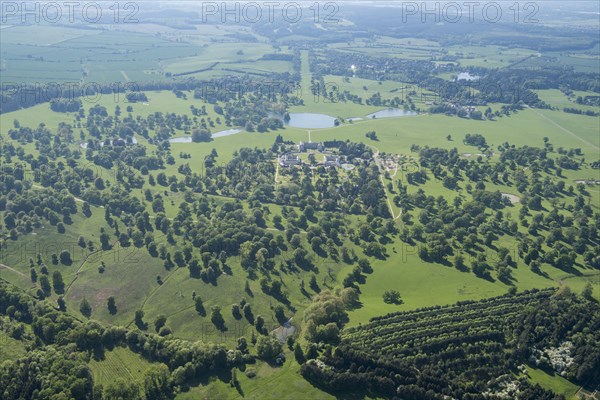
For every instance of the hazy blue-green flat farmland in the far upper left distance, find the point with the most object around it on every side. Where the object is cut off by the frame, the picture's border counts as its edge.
(133, 53)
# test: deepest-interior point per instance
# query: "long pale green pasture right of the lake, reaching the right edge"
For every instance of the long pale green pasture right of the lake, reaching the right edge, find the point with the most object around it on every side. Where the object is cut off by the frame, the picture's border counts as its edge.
(527, 127)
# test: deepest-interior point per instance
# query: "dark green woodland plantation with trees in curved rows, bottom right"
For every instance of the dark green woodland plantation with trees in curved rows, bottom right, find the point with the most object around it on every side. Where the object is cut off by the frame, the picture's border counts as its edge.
(469, 350)
